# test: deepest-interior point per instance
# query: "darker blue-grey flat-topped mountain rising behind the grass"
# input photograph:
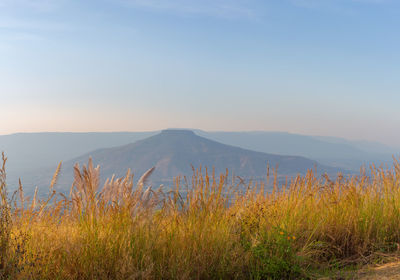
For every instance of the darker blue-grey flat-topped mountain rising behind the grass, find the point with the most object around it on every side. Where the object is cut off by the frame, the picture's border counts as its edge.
(174, 152)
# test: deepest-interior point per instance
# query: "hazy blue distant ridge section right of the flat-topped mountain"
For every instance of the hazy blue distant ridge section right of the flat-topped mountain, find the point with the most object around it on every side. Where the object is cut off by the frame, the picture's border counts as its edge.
(326, 150)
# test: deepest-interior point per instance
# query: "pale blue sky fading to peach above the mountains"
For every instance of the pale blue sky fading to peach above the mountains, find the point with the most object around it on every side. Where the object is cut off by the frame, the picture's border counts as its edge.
(318, 67)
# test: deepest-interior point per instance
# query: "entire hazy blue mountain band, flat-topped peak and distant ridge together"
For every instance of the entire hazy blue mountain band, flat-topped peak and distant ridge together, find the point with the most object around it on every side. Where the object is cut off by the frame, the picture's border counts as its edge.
(33, 154)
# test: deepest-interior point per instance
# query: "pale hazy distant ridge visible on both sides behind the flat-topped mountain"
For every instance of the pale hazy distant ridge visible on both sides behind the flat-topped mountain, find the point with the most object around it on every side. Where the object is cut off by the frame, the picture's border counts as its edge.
(29, 154)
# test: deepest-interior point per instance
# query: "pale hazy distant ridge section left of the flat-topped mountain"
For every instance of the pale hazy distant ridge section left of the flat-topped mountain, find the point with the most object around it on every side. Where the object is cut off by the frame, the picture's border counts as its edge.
(31, 153)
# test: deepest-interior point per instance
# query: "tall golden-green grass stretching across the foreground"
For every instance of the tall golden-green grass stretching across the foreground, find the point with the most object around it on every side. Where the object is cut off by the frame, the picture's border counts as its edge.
(211, 230)
